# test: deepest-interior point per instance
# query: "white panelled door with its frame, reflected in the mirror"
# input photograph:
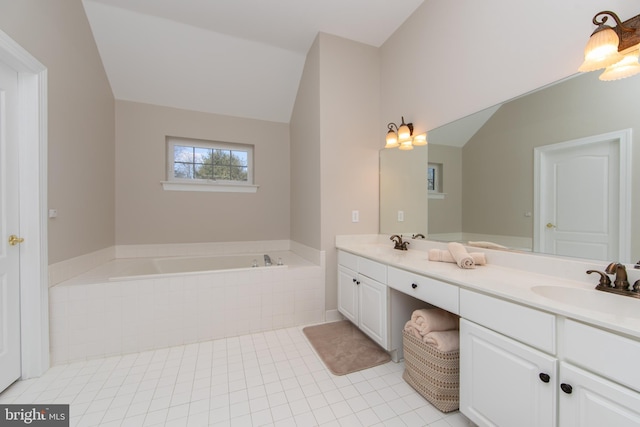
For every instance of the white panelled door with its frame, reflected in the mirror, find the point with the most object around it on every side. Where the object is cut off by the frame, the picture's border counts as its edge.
(582, 198)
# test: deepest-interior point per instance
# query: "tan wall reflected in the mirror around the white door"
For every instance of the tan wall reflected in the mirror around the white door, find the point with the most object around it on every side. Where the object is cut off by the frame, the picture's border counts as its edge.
(497, 162)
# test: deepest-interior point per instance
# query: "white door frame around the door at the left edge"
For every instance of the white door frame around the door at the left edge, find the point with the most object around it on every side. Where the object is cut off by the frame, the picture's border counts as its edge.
(32, 142)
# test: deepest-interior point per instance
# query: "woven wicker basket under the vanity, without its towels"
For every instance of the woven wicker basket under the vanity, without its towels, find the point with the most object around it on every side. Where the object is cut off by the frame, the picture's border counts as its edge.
(432, 373)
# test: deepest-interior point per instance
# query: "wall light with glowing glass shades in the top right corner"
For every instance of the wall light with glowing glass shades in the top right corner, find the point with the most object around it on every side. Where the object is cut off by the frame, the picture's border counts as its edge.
(615, 49)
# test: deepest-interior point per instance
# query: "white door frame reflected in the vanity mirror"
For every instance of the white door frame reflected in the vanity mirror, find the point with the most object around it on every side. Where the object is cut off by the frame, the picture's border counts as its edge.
(623, 138)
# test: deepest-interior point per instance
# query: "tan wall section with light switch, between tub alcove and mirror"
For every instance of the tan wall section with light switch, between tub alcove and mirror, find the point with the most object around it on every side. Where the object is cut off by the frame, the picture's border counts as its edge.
(350, 141)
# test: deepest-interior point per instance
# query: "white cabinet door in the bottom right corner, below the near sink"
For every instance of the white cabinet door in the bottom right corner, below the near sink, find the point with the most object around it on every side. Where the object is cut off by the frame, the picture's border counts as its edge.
(594, 401)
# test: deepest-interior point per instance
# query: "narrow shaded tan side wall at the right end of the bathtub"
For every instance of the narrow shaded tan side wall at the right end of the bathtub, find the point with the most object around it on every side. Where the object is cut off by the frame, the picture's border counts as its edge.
(305, 154)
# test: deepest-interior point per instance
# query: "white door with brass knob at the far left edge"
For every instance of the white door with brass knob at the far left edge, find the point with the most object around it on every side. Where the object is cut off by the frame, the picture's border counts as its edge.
(9, 226)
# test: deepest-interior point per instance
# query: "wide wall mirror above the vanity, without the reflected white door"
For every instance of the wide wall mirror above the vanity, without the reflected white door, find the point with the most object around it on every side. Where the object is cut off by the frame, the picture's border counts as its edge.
(486, 163)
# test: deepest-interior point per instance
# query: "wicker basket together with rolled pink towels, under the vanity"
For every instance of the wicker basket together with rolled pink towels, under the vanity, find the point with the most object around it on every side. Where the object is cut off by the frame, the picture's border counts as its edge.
(431, 356)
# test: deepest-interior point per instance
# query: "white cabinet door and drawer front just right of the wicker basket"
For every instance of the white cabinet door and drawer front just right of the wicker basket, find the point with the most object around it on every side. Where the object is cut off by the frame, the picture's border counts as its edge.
(506, 381)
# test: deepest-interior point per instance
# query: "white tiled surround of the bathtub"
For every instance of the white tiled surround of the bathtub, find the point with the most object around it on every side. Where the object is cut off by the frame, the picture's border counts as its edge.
(93, 315)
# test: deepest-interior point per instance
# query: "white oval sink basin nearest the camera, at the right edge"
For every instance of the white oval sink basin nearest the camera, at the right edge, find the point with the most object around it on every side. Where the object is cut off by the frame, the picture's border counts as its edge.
(591, 299)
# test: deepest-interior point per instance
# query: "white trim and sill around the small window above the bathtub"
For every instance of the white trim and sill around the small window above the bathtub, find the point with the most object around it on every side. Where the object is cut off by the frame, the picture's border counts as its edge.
(181, 184)
